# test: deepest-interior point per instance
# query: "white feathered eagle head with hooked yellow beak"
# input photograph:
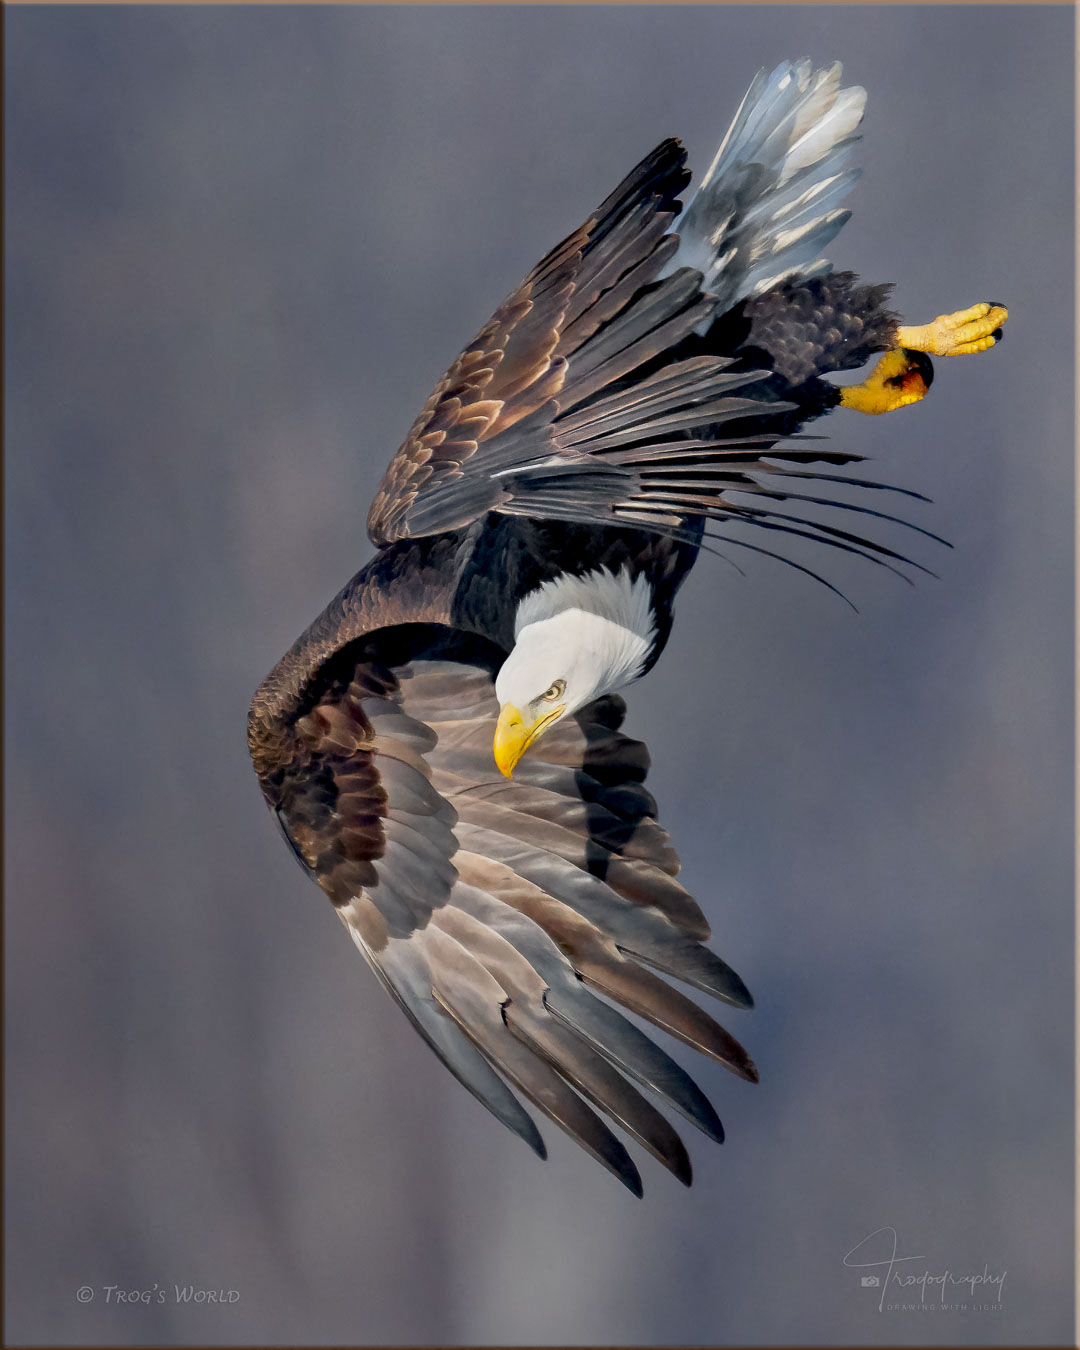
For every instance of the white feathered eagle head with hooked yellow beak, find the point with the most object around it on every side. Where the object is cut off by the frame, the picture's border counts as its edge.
(577, 639)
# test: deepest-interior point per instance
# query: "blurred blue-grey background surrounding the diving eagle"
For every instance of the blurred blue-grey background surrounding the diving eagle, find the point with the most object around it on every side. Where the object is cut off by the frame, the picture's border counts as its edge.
(242, 246)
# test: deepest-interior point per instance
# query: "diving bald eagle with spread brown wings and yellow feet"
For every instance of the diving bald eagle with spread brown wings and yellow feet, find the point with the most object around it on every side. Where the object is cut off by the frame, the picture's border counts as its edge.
(443, 747)
